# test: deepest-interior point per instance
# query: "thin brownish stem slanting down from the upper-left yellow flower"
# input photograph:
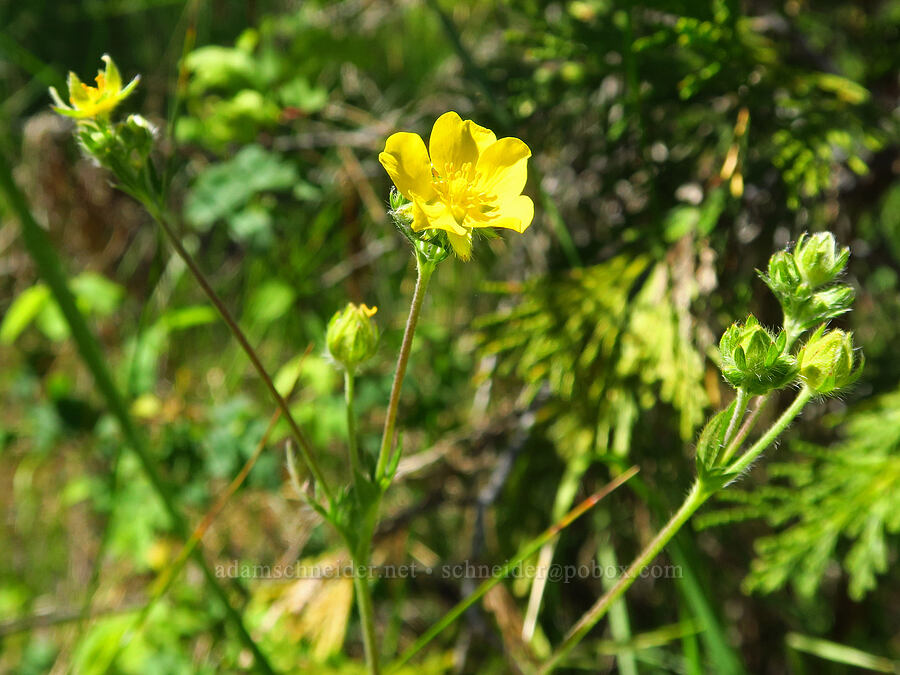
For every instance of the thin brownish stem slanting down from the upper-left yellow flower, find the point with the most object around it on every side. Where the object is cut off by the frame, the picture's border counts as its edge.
(306, 449)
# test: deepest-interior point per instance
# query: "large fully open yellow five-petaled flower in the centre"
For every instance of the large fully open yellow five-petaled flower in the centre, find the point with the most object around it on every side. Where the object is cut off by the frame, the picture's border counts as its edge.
(467, 179)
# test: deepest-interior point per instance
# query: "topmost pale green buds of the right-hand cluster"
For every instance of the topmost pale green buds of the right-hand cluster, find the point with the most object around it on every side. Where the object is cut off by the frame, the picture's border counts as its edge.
(803, 282)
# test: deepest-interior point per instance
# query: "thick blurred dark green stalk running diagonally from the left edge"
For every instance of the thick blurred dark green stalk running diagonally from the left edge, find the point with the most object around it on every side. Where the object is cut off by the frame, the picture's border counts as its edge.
(51, 270)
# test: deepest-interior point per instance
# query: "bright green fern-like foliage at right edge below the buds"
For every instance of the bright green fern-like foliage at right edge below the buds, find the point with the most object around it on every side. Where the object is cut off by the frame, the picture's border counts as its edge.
(848, 494)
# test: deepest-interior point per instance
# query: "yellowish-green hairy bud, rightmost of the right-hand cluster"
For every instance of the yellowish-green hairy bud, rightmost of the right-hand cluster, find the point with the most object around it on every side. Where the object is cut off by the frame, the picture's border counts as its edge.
(827, 361)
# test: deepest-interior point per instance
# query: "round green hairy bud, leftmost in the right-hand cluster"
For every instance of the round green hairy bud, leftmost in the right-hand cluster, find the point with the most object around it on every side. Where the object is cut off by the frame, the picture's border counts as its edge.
(754, 360)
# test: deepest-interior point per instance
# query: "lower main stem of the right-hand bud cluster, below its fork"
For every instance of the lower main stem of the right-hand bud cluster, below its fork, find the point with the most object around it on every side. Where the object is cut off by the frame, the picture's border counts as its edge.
(694, 500)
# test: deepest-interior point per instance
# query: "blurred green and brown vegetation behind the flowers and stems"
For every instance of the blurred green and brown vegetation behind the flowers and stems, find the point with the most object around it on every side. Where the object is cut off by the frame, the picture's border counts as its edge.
(676, 145)
